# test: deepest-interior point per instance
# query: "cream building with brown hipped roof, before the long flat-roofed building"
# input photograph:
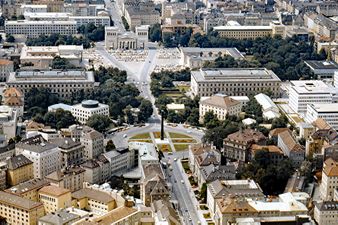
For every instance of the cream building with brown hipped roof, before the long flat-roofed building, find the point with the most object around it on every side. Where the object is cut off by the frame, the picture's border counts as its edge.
(221, 105)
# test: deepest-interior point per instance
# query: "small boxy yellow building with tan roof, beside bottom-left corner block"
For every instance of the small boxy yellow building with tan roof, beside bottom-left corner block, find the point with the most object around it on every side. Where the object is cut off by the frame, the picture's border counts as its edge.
(54, 198)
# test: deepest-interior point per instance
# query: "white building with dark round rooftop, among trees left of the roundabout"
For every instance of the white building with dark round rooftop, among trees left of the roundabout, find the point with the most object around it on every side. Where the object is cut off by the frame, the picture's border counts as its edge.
(83, 111)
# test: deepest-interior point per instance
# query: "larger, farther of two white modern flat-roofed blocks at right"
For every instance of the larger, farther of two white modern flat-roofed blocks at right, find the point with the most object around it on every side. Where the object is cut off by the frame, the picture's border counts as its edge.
(305, 92)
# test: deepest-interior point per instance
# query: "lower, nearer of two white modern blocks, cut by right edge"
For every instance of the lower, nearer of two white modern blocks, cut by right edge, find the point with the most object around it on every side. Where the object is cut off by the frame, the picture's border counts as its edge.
(329, 112)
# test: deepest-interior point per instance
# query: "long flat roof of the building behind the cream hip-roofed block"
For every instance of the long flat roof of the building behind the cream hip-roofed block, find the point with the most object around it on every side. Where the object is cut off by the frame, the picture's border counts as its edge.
(234, 74)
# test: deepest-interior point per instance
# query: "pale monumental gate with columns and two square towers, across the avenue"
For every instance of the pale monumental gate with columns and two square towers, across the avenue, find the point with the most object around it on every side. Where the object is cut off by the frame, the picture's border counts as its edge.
(114, 39)
